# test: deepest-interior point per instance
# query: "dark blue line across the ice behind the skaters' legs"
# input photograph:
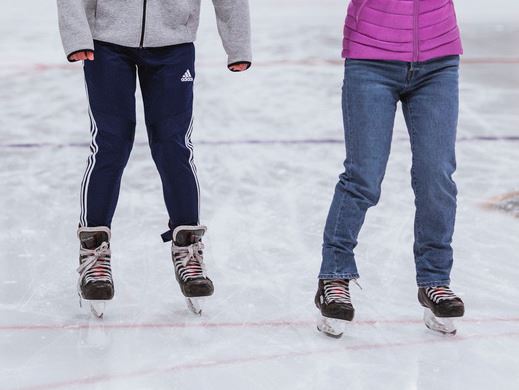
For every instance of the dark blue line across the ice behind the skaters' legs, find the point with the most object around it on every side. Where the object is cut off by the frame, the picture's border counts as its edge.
(316, 141)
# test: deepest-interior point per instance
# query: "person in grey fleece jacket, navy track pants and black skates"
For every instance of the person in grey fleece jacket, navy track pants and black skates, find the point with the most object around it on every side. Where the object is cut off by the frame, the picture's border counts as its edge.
(119, 40)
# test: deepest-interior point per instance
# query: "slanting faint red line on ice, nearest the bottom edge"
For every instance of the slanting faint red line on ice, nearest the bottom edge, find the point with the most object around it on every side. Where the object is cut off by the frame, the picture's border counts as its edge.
(438, 339)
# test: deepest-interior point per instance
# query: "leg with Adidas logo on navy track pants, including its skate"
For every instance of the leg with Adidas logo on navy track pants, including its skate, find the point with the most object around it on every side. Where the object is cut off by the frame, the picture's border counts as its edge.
(166, 76)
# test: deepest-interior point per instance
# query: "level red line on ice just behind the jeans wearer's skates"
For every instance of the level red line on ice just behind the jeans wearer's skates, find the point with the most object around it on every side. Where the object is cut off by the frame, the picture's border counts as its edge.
(230, 325)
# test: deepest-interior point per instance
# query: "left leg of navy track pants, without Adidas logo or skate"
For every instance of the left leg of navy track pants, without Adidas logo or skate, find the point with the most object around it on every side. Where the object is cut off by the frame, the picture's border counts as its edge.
(110, 84)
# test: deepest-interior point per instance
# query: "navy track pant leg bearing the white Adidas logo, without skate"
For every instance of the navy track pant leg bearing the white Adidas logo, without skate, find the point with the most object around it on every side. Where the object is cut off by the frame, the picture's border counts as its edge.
(168, 106)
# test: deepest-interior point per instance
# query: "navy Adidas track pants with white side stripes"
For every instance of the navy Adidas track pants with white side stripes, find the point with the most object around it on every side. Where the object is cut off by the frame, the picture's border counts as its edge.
(166, 77)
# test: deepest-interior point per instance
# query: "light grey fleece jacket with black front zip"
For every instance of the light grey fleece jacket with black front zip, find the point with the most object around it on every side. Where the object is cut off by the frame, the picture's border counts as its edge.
(151, 23)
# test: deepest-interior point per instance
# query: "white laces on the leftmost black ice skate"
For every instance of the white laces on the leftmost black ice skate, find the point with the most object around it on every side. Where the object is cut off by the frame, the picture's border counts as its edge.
(95, 265)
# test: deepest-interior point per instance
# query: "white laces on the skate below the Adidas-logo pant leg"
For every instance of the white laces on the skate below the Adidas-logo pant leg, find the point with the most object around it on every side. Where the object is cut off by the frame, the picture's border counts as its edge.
(189, 260)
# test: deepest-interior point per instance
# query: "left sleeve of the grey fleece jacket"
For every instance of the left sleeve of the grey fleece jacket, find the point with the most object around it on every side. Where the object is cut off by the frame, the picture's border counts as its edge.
(74, 28)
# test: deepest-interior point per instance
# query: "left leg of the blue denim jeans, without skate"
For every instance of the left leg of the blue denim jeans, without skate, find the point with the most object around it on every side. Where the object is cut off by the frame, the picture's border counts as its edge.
(370, 96)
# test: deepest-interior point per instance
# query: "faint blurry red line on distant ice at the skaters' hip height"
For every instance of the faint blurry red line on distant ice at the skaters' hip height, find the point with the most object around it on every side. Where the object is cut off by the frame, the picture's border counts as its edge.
(43, 67)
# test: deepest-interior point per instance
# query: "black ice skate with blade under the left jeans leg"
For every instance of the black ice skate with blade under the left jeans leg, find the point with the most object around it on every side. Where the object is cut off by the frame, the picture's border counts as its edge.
(333, 300)
